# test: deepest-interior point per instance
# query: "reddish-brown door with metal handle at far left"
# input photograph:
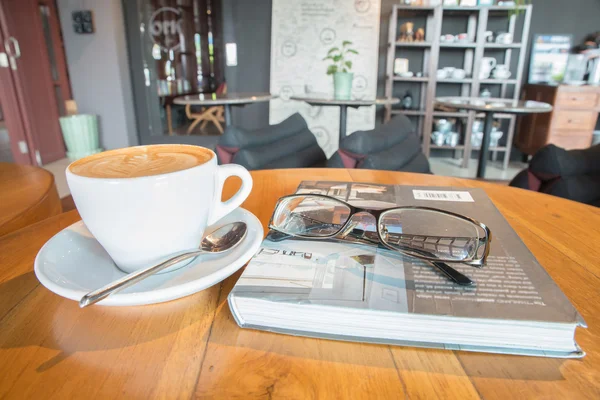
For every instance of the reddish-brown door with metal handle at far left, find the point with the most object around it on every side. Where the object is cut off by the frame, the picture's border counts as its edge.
(34, 79)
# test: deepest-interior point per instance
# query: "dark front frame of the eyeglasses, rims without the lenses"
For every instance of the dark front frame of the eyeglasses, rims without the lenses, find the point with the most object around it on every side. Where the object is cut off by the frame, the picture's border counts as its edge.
(377, 213)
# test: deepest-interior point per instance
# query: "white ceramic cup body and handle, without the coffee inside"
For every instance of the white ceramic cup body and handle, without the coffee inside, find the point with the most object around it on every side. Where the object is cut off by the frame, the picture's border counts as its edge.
(141, 221)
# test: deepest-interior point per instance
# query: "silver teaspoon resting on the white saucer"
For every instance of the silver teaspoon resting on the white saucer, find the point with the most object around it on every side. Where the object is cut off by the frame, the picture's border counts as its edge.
(223, 239)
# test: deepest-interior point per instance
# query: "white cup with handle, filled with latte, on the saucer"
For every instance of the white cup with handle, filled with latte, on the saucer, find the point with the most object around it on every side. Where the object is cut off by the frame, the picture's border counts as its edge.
(145, 221)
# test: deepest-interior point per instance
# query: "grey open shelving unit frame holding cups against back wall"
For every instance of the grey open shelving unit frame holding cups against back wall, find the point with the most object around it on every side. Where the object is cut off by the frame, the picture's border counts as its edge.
(474, 50)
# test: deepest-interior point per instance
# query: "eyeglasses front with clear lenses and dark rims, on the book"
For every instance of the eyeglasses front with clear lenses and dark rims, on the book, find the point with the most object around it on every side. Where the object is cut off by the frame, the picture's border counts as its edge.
(422, 232)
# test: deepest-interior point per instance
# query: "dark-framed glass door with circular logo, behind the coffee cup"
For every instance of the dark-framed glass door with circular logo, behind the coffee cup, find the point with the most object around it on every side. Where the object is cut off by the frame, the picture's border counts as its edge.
(175, 49)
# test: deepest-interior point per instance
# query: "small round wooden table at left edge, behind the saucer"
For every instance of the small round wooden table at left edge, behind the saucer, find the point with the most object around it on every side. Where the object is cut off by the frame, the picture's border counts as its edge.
(27, 195)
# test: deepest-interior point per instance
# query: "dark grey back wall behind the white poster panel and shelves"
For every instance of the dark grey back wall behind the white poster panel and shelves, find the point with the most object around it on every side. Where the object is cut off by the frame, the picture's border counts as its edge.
(248, 23)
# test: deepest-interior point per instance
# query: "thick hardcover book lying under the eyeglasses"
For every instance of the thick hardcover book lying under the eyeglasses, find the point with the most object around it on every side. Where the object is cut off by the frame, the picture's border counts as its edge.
(345, 291)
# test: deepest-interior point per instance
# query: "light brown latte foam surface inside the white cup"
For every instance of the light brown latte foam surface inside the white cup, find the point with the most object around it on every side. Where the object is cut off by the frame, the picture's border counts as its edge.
(140, 161)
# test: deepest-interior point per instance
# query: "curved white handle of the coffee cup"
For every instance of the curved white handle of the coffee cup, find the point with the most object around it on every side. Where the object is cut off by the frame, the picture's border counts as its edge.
(222, 208)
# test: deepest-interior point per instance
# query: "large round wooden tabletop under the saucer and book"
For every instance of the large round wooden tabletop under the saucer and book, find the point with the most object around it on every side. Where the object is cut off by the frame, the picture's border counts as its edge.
(193, 348)
